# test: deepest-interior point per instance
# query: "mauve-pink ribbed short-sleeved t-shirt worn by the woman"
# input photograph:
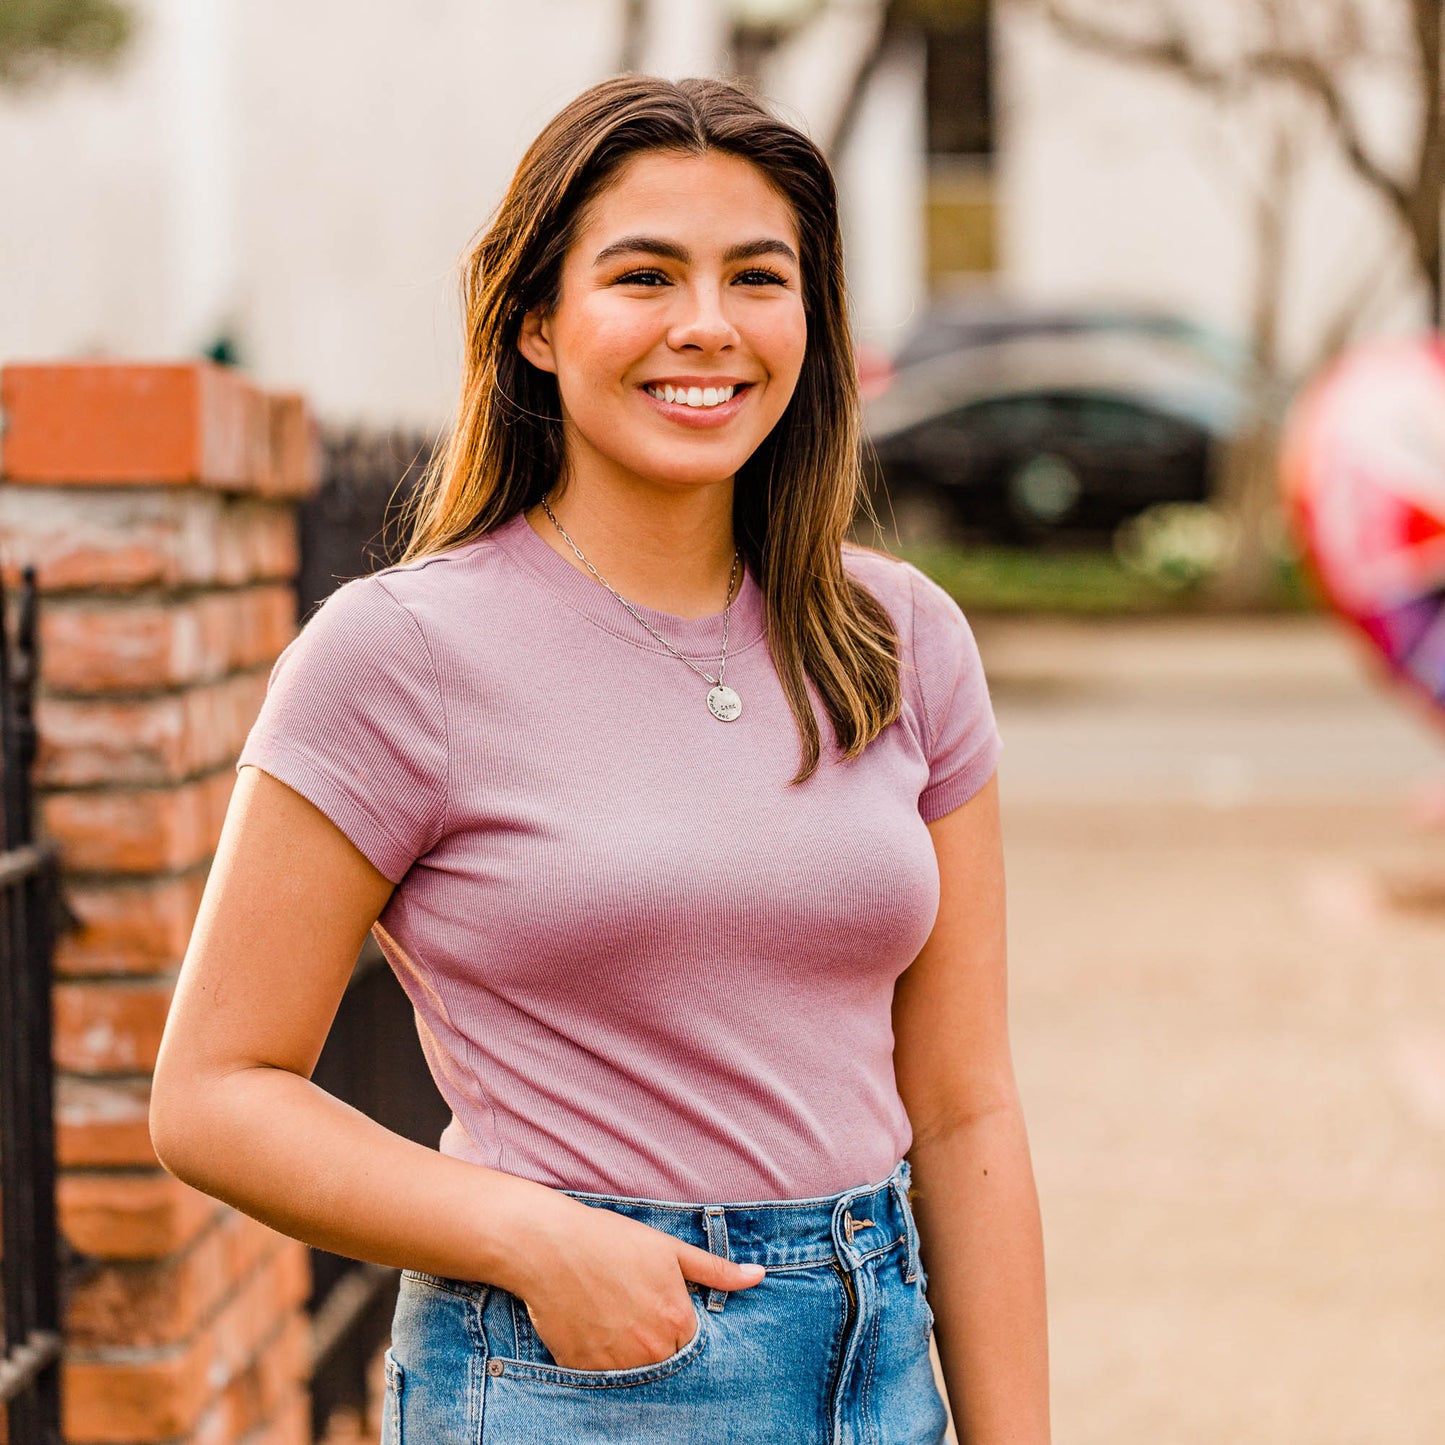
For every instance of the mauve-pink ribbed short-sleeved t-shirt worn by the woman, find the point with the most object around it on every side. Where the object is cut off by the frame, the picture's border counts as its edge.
(641, 962)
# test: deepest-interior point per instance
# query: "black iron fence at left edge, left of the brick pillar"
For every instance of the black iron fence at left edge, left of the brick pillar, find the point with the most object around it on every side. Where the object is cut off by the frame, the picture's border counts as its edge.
(31, 1365)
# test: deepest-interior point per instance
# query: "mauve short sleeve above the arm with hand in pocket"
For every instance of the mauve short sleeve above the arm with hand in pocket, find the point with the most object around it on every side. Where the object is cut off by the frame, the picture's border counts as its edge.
(353, 720)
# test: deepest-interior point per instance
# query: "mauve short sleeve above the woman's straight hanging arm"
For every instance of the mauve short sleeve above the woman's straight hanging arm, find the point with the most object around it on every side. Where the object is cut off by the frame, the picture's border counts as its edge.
(959, 720)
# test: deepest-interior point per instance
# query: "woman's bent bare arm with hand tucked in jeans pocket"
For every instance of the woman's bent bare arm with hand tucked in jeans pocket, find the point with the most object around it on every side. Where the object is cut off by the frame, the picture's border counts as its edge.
(233, 1110)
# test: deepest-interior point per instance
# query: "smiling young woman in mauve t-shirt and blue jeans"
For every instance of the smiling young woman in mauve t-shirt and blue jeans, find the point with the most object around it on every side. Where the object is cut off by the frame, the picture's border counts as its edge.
(677, 819)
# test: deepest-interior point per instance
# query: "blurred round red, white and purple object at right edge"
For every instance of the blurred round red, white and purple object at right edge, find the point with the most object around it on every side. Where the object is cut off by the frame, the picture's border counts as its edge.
(1363, 472)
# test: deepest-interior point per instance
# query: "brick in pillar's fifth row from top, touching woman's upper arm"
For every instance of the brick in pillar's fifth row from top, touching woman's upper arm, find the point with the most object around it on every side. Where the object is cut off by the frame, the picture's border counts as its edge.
(139, 830)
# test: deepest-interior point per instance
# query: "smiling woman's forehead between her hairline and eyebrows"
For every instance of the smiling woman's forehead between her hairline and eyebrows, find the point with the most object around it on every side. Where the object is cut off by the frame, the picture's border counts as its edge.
(712, 197)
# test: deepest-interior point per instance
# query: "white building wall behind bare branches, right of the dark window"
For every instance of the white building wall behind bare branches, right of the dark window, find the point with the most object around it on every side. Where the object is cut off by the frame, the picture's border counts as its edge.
(1121, 186)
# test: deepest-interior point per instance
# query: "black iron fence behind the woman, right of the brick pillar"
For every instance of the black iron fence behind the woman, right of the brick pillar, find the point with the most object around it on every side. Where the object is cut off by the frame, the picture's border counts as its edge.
(372, 1058)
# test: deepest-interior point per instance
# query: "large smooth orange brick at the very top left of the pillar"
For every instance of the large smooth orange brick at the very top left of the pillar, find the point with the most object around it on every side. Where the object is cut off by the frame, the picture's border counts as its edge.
(128, 423)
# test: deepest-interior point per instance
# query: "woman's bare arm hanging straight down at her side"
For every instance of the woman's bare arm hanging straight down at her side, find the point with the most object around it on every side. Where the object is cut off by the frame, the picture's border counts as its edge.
(976, 1199)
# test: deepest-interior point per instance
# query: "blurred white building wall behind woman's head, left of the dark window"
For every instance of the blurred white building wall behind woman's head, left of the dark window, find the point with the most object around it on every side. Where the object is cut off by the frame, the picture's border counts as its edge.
(304, 176)
